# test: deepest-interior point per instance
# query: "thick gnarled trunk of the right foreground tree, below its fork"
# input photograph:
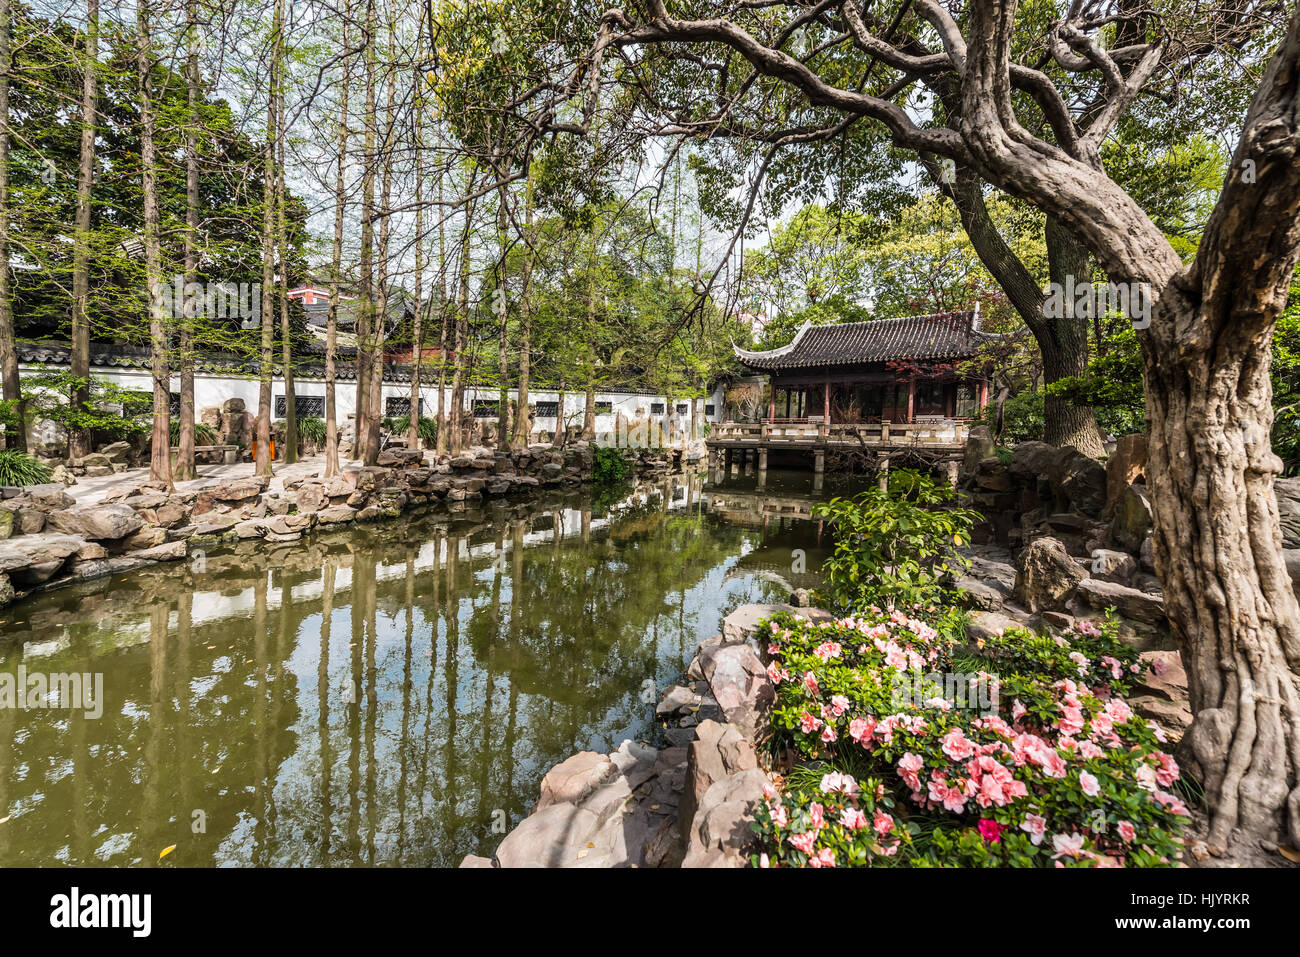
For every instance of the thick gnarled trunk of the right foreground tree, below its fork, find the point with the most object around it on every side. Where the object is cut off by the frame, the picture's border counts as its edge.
(1228, 592)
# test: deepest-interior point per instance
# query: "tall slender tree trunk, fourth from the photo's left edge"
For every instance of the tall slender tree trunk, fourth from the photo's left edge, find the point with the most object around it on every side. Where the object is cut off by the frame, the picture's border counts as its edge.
(184, 467)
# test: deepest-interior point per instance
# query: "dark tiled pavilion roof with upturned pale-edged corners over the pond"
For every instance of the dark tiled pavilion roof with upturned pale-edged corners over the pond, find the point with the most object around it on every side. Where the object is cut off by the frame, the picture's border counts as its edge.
(944, 336)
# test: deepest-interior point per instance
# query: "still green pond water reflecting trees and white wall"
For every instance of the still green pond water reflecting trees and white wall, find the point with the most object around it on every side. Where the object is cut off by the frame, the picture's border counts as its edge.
(383, 696)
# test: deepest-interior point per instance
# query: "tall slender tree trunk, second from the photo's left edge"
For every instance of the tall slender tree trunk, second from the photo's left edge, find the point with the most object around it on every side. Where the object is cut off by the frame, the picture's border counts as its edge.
(80, 440)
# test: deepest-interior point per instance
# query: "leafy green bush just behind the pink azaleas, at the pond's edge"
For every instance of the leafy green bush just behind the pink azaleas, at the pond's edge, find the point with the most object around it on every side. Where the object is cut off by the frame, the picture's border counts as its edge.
(894, 548)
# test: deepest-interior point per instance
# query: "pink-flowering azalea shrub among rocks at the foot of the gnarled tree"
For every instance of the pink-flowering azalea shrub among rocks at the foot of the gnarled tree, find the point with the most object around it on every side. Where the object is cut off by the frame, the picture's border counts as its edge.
(1052, 772)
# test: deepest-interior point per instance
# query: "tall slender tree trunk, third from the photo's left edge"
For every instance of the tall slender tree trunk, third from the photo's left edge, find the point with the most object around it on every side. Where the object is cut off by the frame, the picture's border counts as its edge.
(161, 449)
